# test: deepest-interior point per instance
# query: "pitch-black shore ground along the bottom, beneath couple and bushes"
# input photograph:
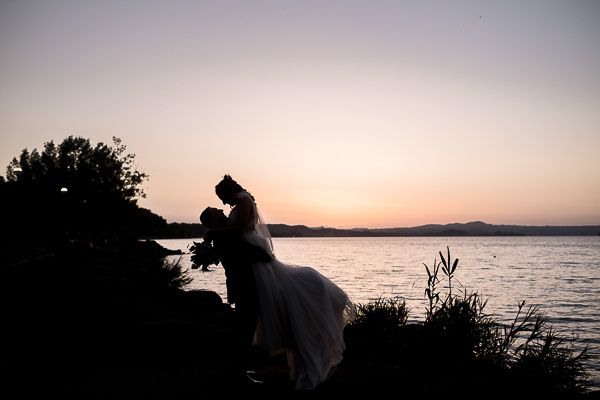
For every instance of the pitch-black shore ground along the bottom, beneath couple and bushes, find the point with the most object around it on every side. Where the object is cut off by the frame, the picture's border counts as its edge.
(87, 324)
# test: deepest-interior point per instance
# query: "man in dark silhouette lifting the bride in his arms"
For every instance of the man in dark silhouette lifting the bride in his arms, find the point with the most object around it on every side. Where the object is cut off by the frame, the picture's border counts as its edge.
(236, 255)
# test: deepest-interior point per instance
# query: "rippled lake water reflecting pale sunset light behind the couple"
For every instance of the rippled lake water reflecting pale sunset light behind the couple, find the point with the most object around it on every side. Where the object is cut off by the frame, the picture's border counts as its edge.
(561, 274)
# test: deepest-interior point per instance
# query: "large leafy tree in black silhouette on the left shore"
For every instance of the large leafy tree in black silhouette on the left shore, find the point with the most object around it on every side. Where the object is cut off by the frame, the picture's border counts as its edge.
(74, 190)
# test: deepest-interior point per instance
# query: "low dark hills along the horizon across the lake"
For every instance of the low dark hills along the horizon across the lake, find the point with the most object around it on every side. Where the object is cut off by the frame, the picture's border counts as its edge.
(477, 228)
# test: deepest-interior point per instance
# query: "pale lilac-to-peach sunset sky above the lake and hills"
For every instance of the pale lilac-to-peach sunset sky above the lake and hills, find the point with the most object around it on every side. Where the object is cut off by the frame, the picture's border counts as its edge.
(332, 113)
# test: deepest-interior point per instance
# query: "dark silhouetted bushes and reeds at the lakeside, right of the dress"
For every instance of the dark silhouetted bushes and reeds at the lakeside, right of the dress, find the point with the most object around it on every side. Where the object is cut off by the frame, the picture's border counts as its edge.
(459, 348)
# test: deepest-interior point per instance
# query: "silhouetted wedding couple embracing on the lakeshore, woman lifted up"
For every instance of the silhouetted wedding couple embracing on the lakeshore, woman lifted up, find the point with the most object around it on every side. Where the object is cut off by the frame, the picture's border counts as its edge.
(279, 307)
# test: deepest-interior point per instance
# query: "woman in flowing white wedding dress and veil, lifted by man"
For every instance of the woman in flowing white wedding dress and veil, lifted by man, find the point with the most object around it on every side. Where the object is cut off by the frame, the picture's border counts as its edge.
(301, 312)
